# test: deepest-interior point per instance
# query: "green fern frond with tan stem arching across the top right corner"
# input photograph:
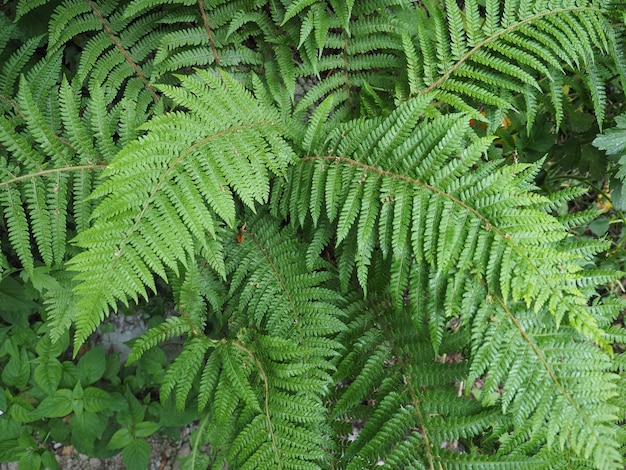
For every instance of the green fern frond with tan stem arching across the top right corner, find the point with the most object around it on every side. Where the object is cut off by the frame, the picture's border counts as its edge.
(515, 47)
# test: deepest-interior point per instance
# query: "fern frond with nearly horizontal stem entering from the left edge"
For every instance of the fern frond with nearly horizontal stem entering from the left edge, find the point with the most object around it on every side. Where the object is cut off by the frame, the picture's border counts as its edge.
(57, 154)
